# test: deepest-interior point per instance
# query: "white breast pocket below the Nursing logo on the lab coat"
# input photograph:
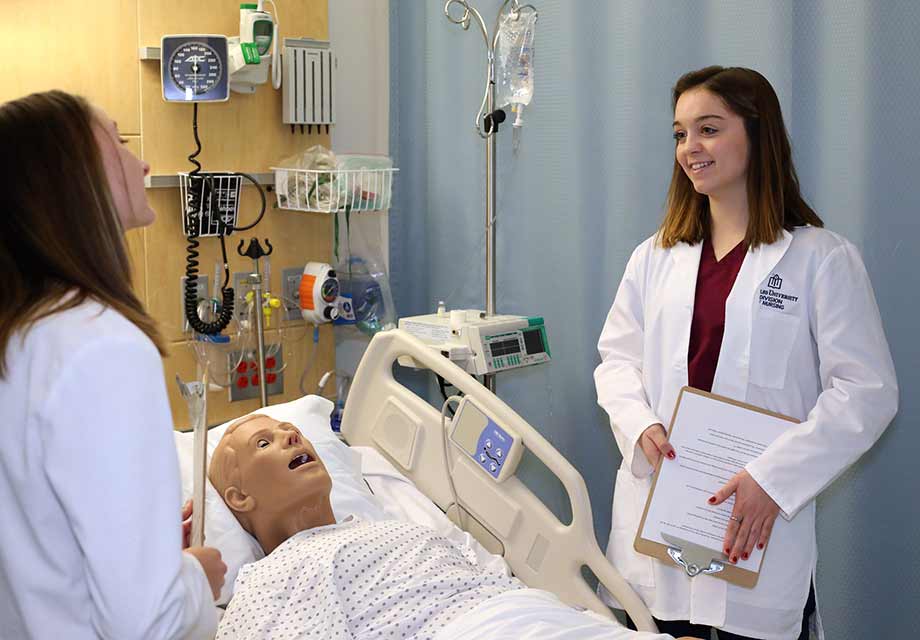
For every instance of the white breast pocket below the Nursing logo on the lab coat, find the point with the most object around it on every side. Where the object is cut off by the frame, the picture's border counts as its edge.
(772, 340)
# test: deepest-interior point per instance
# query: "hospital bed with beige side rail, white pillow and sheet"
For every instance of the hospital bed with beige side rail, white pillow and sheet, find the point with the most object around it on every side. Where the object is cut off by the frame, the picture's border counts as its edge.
(398, 438)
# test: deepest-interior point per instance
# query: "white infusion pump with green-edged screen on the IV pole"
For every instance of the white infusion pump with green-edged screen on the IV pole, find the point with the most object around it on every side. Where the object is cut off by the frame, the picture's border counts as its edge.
(478, 343)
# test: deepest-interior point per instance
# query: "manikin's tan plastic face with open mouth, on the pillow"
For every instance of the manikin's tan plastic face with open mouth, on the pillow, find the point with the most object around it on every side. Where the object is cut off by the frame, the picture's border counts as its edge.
(278, 467)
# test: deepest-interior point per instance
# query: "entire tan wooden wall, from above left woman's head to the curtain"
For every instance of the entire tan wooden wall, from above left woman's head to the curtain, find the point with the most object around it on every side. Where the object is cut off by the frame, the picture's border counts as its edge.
(92, 49)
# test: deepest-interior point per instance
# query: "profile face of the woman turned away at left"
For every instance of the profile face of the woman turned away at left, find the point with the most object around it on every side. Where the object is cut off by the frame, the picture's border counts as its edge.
(125, 173)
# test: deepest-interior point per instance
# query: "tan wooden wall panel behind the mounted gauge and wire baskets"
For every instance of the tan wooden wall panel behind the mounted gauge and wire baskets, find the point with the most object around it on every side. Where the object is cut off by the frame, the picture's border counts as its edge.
(243, 134)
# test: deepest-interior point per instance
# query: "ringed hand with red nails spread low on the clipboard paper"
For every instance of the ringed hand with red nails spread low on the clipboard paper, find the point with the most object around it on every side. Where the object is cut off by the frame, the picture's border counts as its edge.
(752, 516)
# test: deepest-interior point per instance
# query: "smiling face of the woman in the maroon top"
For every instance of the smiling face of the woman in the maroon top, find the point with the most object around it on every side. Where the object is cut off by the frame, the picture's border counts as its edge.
(711, 144)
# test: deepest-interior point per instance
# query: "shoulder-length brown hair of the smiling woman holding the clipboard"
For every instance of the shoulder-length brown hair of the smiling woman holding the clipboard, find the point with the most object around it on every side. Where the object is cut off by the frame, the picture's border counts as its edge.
(775, 201)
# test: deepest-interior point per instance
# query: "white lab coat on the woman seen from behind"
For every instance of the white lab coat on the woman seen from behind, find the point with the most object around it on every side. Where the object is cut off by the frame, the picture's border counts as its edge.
(89, 488)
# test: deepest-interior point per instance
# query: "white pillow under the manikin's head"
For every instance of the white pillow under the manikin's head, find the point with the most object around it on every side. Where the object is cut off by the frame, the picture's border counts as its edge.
(350, 494)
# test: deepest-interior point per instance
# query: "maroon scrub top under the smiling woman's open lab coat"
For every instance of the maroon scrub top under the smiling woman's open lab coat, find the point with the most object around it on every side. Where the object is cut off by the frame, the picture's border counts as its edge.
(714, 282)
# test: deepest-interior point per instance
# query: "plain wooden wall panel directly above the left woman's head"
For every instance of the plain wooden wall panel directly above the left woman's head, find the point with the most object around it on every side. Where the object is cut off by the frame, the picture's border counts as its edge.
(81, 47)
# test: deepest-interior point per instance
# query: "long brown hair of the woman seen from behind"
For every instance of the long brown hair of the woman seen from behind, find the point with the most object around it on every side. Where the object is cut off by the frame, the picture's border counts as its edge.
(59, 230)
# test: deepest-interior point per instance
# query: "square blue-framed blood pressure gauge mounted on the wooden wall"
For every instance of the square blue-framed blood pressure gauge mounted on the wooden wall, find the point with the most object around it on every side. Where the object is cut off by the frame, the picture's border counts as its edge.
(194, 68)
